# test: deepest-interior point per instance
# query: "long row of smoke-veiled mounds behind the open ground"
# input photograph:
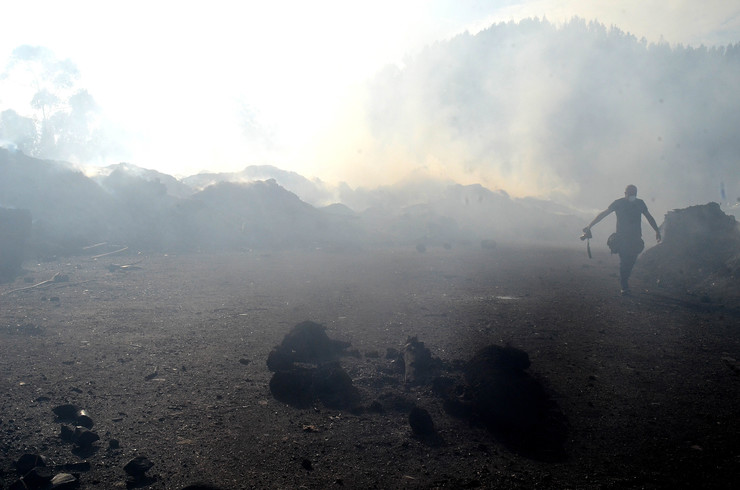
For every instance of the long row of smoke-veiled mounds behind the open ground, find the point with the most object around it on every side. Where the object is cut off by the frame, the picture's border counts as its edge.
(146, 210)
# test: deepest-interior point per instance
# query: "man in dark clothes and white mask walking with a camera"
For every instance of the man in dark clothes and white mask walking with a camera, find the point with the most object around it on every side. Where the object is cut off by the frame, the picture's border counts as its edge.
(627, 241)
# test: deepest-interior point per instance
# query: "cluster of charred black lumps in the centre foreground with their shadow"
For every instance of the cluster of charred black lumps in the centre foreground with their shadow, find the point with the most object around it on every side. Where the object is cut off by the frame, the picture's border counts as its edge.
(492, 390)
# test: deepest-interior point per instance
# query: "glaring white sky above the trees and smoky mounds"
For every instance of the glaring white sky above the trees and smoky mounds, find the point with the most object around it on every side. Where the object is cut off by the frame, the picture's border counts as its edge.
(222, 85)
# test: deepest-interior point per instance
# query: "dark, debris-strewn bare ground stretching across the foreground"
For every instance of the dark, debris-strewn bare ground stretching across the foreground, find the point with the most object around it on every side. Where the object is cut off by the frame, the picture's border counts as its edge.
(169, 360)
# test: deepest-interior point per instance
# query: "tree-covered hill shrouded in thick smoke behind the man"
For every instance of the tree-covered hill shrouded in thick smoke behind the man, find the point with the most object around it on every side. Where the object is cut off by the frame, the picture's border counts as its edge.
(571, 113)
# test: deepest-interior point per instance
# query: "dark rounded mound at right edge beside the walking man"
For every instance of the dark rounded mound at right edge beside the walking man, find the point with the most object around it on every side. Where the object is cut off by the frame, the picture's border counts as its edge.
(700, 254)
